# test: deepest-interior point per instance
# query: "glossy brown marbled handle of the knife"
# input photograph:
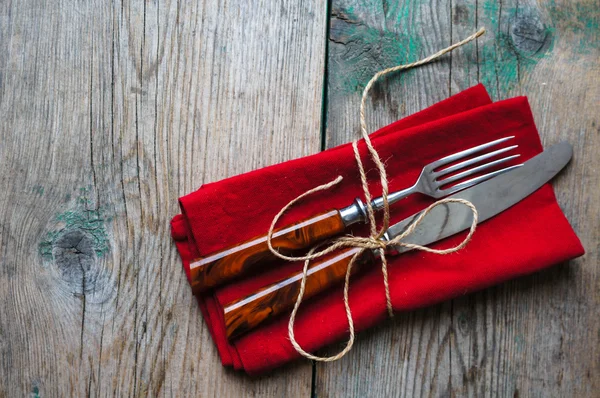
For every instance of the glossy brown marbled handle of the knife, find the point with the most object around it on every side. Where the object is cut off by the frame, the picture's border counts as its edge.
(247, 313)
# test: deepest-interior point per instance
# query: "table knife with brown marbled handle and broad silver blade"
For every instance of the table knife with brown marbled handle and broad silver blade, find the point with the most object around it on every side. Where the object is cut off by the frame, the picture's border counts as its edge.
(490, 198)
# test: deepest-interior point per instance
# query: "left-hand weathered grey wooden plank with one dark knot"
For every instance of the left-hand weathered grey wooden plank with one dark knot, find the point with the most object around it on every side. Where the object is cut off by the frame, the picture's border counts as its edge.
(109, 111)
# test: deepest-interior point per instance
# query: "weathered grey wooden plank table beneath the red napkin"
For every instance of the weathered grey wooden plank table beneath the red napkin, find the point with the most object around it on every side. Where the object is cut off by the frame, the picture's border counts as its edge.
(109, 111)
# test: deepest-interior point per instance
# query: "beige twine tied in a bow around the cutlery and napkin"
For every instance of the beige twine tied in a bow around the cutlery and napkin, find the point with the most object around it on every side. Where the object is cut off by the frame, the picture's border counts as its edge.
(373, 241)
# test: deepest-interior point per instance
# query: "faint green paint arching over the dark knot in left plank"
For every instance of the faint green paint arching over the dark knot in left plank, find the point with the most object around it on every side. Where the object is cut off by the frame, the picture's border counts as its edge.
(83, 217)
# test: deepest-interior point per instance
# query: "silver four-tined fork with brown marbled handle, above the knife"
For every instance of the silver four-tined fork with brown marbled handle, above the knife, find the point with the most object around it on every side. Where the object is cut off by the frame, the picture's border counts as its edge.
(218, 268)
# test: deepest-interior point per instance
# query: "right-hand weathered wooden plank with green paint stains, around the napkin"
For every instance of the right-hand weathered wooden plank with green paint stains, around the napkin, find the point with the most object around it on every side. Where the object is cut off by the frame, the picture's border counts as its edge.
(535, 336)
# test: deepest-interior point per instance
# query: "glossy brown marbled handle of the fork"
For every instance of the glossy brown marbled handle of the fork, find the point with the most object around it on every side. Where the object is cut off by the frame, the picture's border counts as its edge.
(231, 263)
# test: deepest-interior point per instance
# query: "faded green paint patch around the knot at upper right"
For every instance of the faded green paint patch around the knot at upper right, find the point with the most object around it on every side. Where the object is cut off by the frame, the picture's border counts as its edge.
(503, 62)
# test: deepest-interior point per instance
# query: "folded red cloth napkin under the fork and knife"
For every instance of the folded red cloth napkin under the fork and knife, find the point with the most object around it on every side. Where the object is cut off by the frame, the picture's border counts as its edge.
(531, 235)
